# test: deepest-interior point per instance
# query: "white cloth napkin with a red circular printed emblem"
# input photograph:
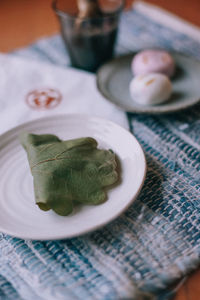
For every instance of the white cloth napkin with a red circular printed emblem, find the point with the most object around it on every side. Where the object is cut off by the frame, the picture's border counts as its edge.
(77, 89)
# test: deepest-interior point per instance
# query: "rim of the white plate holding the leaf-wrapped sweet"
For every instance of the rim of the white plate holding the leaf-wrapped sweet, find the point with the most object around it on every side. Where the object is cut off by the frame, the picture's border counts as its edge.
(113, 217)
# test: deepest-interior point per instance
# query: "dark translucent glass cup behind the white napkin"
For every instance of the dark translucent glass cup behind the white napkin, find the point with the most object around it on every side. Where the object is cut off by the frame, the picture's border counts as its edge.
(90, 41)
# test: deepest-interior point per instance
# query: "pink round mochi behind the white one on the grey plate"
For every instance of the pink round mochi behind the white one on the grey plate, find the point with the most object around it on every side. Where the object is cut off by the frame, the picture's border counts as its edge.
(153, 61)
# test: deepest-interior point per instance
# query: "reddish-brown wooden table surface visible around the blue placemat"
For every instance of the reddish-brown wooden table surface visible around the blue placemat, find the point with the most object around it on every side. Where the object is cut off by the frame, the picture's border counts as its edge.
(22, 22)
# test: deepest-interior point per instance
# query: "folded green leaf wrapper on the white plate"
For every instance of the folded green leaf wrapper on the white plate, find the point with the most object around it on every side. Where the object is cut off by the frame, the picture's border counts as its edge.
(68, 172)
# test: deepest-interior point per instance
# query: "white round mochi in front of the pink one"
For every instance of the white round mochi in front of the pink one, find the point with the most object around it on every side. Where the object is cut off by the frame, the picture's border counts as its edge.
(150, 89)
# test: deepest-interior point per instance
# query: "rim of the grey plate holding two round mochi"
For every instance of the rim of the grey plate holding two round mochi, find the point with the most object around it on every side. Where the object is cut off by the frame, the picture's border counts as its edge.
(148, 110)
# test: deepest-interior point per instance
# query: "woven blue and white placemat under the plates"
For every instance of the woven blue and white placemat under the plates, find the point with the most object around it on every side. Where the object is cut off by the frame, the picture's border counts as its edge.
(156, 241)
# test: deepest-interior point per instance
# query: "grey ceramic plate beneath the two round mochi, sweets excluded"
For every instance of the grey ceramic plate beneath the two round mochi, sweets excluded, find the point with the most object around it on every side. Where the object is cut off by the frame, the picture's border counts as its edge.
(114, 77)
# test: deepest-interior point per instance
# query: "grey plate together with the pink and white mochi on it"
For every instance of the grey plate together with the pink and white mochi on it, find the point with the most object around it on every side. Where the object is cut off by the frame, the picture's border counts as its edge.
(151, 81)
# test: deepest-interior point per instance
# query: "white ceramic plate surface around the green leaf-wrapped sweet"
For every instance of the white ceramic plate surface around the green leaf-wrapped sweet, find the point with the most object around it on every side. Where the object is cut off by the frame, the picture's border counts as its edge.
(21, 217)
